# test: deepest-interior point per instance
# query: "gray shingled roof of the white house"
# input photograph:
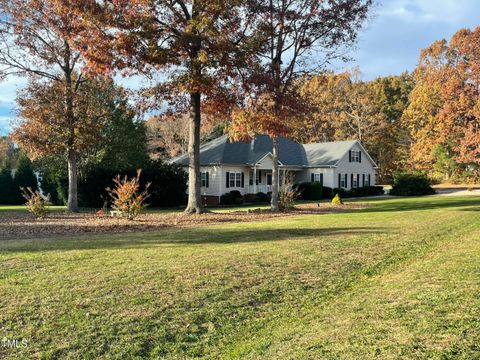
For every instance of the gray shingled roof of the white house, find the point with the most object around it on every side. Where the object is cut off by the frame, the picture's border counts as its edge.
(291, 153)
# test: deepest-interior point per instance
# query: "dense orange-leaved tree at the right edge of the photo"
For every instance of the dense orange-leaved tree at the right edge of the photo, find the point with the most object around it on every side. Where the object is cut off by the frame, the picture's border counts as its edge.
(444, 111)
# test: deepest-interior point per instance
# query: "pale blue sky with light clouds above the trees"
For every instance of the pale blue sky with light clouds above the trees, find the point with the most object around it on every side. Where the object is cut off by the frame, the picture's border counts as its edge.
(389, 45)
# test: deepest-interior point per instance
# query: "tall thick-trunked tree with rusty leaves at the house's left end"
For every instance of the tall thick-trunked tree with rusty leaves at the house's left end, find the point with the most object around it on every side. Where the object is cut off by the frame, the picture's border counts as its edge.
(191, 48)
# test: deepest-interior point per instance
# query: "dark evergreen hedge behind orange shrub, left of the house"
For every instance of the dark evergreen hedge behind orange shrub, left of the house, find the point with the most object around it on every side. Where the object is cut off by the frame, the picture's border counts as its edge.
(168, 185)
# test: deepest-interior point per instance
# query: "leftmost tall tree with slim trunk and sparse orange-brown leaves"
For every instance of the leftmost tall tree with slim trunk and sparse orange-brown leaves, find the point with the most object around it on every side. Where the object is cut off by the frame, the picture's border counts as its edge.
(34, 42)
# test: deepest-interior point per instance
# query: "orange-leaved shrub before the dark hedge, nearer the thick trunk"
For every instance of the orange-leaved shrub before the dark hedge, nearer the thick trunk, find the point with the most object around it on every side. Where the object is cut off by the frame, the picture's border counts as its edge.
(127, 201)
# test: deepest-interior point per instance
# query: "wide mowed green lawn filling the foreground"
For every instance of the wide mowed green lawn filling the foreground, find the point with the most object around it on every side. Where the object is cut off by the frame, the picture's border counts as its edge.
(400, 279)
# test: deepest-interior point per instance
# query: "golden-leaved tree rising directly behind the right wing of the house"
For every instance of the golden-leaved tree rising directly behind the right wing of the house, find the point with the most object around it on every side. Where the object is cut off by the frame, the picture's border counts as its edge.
(344, 108)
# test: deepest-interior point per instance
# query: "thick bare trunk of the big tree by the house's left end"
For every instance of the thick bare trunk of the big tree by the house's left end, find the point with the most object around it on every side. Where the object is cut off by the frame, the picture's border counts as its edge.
(194, 195)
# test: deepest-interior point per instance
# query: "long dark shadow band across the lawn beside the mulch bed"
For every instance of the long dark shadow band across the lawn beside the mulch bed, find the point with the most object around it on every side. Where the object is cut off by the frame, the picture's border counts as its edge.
(200, 236)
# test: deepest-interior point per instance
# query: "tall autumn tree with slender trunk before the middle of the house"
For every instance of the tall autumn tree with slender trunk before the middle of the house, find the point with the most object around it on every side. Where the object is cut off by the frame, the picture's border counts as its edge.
(291, 32)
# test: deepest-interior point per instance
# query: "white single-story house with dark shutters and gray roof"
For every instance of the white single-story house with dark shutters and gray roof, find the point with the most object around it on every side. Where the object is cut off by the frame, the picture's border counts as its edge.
(247, 167)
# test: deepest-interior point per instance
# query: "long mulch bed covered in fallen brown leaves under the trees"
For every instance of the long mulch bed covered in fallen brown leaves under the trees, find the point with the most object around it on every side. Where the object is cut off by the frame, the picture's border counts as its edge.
(22, 225)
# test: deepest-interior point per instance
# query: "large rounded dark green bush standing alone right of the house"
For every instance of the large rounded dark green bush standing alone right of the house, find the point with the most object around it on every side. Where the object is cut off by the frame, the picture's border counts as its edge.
(411, 184)
